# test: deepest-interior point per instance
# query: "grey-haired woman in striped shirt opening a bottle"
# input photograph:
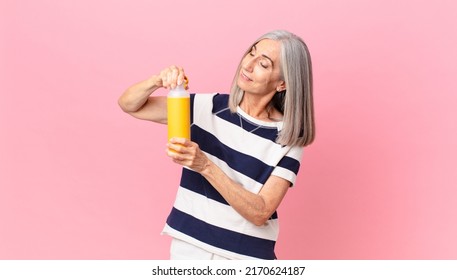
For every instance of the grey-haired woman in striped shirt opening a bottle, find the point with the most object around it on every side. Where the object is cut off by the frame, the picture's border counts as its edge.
(244, 152)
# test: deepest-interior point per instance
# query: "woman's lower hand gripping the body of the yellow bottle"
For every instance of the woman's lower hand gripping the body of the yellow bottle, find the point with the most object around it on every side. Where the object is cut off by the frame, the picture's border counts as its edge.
(187, 153)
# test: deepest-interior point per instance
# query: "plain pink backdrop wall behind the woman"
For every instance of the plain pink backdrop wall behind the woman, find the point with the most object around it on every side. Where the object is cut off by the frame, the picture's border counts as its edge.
(79, 179)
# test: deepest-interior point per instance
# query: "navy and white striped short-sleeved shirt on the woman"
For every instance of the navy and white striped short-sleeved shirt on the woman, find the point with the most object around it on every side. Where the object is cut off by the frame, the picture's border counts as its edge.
(245, 149)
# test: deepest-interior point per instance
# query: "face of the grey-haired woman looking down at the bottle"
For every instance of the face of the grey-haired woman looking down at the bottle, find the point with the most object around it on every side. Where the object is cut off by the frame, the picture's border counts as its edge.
(259, 72)
